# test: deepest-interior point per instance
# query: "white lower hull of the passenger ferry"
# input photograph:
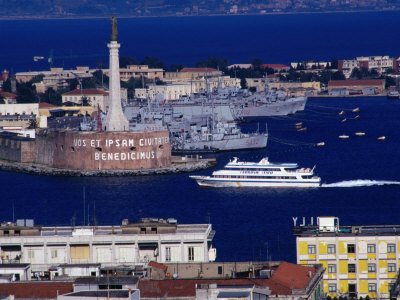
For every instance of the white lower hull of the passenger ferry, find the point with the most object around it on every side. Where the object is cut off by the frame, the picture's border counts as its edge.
(214, 182)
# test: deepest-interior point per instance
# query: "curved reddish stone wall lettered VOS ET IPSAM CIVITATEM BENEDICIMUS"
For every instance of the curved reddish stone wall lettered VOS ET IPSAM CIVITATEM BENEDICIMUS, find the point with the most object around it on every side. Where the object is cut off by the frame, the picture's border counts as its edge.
(111, 150)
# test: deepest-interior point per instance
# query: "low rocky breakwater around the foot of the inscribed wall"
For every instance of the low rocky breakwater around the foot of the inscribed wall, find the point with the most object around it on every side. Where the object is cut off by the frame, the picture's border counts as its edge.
(179, 165)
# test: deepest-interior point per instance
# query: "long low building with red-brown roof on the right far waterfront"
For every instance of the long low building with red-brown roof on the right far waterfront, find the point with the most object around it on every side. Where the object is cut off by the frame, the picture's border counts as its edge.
(357, 86)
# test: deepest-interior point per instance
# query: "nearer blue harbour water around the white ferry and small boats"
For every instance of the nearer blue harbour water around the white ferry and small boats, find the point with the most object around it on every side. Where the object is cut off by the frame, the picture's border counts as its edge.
(360, 184)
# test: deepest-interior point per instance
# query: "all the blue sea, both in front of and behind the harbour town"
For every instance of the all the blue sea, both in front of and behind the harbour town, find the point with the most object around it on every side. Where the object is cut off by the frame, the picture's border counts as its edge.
(360, 174)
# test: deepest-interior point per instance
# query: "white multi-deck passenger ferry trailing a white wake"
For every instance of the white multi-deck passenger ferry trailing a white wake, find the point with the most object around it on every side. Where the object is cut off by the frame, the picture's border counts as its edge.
(261, 174)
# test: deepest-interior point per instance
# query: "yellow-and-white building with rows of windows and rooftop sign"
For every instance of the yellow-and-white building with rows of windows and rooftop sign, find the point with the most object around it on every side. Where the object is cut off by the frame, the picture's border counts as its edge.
(359, 260)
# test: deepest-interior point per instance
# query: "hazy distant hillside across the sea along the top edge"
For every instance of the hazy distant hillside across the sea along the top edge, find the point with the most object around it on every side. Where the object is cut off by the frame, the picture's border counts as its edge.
(85, 8)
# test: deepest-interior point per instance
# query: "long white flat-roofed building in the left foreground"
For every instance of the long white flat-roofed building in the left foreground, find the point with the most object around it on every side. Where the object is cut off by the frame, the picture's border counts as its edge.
(128, 244)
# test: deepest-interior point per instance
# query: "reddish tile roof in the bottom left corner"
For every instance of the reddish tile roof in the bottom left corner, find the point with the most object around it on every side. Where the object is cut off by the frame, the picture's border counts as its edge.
(34, 290)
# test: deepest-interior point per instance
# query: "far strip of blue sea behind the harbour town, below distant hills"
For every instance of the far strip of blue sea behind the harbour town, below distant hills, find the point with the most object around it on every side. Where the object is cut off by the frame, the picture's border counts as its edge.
(187, 40)
